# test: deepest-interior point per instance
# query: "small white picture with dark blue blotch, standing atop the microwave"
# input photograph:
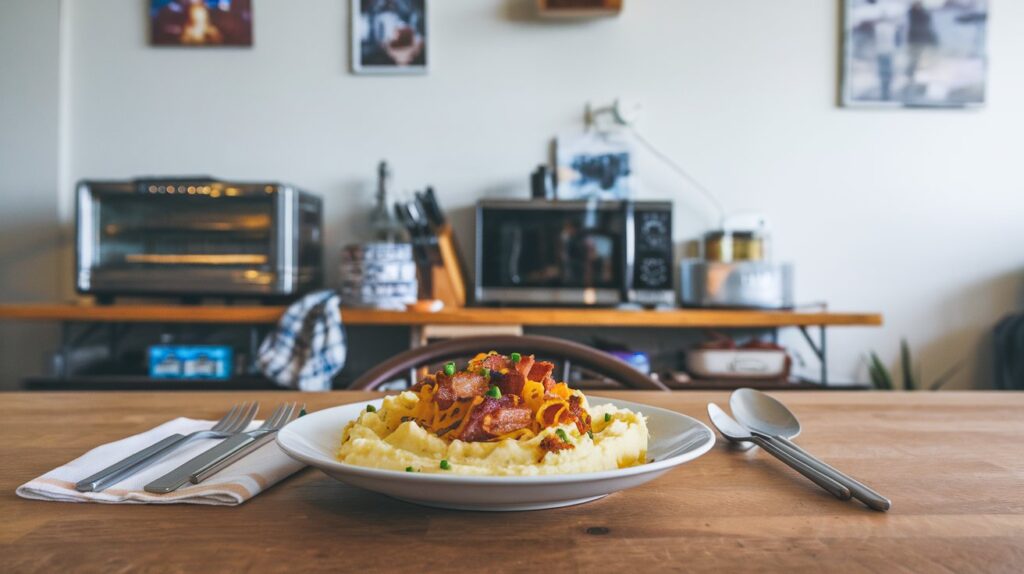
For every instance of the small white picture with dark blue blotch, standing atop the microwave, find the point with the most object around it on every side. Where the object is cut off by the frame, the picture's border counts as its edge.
(593, 166)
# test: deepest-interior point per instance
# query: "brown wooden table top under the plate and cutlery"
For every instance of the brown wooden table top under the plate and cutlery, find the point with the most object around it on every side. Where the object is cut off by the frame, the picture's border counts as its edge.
(953, 464)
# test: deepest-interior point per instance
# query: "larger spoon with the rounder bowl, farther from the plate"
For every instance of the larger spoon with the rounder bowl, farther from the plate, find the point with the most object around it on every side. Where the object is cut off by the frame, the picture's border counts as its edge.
(766, 415)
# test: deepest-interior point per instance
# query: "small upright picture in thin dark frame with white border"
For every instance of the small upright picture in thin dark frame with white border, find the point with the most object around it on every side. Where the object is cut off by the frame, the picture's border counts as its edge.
(390, 36)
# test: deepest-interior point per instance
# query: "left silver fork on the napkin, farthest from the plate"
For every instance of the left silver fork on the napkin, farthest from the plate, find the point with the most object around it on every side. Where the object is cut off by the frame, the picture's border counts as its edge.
(235, 422)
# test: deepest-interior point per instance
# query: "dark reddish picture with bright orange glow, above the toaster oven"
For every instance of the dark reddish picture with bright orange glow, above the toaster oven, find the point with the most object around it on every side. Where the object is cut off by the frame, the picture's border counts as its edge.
(201, 23)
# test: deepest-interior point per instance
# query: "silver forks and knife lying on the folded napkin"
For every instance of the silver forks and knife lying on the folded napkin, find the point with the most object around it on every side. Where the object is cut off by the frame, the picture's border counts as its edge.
(237, 445)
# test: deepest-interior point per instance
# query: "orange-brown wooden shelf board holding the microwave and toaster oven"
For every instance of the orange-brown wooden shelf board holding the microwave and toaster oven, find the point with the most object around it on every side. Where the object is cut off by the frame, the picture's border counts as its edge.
(73, 313)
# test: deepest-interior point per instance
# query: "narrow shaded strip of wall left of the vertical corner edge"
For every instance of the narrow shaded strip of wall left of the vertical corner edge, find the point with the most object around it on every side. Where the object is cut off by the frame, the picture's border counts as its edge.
(30, 230)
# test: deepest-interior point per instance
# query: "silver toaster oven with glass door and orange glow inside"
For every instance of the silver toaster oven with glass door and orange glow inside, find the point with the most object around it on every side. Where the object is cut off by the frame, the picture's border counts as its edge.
(197, 237)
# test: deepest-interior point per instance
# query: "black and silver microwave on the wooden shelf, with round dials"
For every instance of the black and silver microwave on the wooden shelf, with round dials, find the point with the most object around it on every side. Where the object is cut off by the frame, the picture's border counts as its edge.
(577, 253)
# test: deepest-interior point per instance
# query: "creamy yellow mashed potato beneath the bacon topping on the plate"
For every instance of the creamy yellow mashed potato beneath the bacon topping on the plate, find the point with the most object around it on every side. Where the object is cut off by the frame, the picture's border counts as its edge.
(388, 439)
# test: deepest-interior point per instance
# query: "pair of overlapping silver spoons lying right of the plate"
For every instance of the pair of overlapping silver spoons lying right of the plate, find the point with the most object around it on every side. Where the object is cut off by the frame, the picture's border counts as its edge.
(761, 420)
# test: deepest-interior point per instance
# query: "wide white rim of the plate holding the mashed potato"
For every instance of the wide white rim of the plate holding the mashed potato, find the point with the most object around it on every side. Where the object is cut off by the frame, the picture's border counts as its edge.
(387, 474)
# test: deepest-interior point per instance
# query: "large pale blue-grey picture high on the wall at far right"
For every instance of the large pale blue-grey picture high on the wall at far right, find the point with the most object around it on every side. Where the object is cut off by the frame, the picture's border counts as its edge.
(915, 54)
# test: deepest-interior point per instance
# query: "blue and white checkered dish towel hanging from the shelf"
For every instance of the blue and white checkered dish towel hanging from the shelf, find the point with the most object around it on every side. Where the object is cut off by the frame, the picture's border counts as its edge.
(308, 348)
